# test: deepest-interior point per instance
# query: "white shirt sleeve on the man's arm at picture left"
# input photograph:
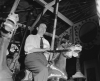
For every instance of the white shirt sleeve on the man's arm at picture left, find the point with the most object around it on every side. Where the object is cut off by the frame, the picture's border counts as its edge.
(29, 43)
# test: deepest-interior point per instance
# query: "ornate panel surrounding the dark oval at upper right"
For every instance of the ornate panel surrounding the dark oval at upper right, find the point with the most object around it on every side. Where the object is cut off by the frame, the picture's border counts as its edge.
(76, 32)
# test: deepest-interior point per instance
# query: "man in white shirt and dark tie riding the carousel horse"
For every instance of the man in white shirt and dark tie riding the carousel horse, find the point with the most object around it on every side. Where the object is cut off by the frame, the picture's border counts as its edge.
(35, 60)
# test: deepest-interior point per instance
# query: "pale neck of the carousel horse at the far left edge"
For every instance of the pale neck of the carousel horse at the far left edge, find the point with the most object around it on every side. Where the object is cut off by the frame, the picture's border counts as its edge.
(5, 73)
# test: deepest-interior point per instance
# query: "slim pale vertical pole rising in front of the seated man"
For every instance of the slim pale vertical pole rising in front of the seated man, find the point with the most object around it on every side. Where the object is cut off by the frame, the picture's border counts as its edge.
(54, 28)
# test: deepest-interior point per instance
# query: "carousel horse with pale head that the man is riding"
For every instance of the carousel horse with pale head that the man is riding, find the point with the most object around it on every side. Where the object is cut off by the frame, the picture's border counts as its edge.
(57, 70)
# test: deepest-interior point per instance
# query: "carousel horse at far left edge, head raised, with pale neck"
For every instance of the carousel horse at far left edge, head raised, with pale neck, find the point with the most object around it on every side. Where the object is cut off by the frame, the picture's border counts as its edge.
(6, 31)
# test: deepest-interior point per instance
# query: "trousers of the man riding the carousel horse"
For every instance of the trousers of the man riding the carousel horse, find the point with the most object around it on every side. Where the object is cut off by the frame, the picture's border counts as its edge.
(36, 63)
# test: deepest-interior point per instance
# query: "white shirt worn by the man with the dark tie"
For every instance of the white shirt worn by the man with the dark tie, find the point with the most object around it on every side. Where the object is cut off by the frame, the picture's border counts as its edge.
(33, 41)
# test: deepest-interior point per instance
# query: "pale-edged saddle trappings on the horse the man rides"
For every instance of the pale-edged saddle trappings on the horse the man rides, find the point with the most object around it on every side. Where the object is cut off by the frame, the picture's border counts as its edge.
(55, 72)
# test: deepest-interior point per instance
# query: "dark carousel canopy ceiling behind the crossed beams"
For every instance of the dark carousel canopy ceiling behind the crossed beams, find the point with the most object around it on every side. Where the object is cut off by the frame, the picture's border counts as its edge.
(71, 11)
